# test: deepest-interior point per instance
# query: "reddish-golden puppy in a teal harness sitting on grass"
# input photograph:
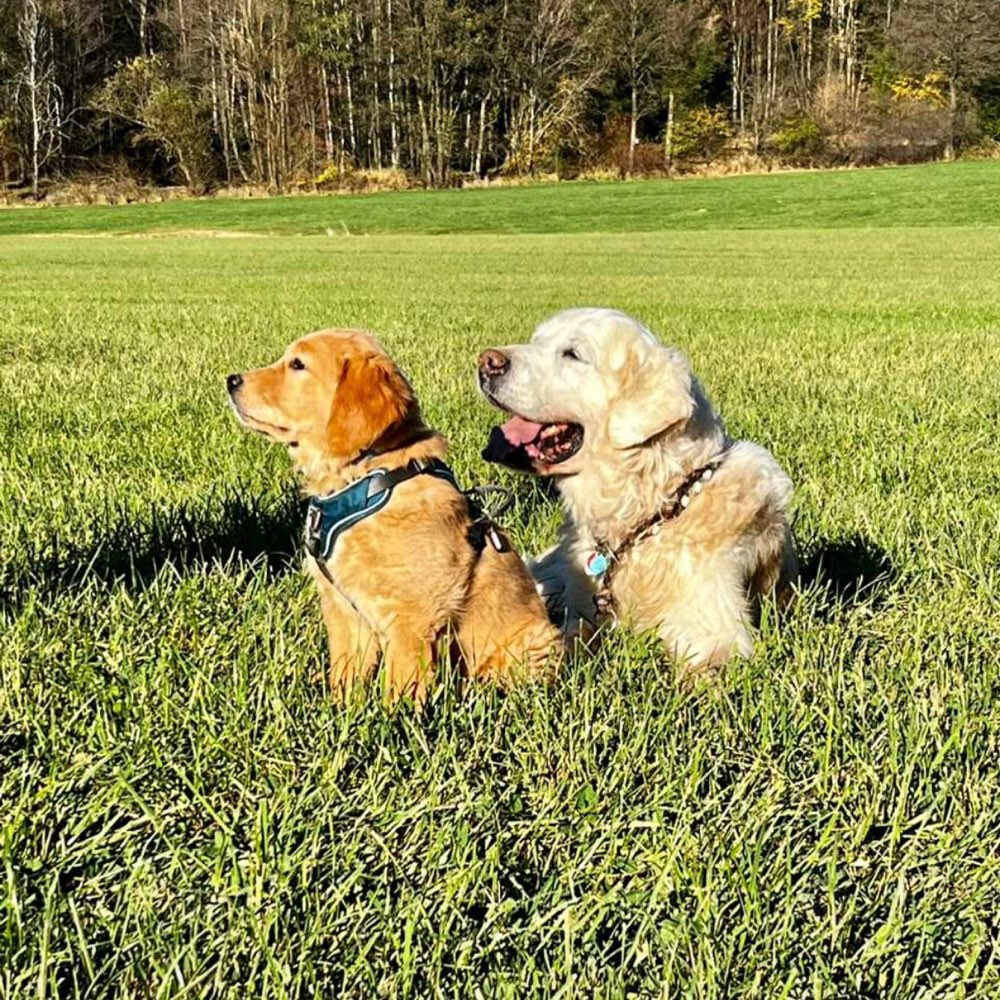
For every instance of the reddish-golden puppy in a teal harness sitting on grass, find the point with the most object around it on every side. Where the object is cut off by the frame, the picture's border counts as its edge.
(407, 567)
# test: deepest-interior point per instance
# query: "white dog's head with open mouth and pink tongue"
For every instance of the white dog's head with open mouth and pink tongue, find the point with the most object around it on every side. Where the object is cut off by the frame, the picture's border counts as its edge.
(589, 379)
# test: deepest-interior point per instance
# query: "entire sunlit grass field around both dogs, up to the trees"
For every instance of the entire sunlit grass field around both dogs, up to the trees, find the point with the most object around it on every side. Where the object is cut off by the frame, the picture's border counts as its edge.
(184, 813)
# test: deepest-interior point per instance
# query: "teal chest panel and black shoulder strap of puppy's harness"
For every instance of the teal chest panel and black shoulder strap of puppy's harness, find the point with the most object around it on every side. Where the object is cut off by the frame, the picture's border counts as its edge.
(329, 516)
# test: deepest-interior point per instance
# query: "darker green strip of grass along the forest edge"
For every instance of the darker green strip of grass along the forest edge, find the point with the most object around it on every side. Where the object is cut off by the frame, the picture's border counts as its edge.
(934, 195)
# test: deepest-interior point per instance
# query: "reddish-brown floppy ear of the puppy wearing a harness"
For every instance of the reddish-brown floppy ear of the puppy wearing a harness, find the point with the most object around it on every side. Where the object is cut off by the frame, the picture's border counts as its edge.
(371, 398)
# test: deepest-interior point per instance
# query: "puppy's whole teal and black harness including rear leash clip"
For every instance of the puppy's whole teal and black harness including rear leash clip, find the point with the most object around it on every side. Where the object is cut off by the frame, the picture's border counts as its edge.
(330, 515)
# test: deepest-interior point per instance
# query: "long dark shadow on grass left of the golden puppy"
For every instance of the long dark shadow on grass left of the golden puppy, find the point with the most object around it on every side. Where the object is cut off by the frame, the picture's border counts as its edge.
(234, 531)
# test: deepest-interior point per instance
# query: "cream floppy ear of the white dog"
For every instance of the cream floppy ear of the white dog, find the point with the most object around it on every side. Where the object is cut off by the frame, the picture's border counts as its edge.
(654, 394)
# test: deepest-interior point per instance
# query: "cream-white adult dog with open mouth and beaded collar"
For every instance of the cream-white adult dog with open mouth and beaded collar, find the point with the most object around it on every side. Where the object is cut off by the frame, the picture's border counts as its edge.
(669, 524)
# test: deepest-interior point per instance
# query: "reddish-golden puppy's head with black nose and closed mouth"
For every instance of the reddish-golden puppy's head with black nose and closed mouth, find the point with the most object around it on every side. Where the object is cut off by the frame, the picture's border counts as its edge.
(331, 395)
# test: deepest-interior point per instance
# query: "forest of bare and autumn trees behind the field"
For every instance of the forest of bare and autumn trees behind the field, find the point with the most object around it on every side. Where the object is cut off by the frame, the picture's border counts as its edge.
(315, 94)
